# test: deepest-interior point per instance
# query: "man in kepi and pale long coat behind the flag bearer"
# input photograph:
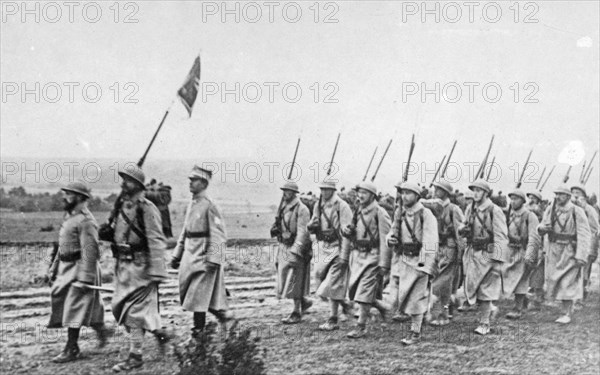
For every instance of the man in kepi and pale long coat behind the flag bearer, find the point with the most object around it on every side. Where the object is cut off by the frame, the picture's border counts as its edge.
(199, 253)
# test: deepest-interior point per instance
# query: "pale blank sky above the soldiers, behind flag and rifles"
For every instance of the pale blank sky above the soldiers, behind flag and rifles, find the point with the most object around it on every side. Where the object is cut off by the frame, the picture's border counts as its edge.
(368, 54)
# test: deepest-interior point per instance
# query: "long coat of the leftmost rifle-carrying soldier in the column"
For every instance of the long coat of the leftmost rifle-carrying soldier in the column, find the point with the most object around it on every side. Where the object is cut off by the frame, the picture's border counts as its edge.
(293, 260)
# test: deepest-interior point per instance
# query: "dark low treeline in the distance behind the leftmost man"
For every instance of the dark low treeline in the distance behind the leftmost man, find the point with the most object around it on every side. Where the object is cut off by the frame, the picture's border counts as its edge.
(18, 199)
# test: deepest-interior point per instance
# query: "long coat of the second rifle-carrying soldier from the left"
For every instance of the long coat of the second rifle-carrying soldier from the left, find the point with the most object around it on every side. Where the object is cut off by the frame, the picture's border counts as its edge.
(331, 275)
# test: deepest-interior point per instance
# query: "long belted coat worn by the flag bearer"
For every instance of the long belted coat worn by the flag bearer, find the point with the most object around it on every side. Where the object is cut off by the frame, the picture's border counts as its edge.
(135, 300)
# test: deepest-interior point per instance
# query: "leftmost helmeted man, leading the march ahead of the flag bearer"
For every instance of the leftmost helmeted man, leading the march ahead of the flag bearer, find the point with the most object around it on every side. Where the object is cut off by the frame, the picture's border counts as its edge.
(75, 266)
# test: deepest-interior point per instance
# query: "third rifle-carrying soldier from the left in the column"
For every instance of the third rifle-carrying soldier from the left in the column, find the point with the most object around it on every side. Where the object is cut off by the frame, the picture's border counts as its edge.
(371, 256)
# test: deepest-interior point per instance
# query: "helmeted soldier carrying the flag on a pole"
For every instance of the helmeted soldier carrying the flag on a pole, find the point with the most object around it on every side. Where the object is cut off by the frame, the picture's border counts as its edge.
(138, 247)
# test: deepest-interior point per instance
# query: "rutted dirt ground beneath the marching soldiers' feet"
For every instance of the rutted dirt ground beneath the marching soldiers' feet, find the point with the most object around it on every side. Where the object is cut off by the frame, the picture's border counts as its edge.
(533, 345)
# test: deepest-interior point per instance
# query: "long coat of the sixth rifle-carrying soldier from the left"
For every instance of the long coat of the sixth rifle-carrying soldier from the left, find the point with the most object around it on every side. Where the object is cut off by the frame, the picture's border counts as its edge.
(483, 267)
